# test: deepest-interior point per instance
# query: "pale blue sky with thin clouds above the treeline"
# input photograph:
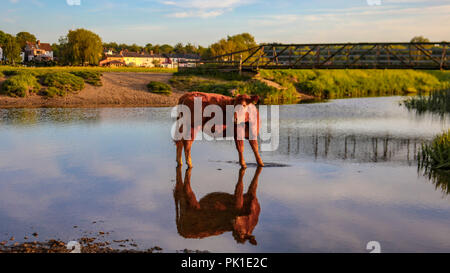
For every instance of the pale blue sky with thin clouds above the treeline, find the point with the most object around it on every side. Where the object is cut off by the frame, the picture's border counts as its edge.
(206, 21)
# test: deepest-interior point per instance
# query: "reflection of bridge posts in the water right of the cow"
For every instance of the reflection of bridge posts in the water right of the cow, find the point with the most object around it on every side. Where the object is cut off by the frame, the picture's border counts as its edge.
(360, 148)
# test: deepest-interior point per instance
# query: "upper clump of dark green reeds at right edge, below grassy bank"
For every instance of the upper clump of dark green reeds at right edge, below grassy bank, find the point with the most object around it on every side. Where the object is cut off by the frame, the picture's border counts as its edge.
(436, 102)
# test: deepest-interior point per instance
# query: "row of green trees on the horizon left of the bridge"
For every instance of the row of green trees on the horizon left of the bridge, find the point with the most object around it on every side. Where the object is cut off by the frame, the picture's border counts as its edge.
(83, 47)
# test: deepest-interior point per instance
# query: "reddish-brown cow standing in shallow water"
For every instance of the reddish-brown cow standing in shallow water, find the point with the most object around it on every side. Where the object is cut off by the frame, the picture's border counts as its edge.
(222, 101)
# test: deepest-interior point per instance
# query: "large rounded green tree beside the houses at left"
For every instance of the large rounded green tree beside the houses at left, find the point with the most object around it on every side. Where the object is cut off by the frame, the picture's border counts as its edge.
(84, 47)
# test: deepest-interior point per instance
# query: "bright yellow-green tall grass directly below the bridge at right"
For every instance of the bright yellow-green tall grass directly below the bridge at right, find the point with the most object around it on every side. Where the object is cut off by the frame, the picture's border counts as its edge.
(329, 84)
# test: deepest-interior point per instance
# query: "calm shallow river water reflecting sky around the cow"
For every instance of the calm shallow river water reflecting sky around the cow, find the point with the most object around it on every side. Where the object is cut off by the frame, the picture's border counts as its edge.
(350, 177)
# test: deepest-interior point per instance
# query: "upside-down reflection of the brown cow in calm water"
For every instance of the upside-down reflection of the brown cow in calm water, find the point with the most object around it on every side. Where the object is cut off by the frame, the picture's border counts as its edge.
(217, 212)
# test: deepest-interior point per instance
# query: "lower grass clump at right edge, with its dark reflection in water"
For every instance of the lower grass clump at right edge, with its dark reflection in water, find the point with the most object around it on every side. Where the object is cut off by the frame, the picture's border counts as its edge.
(434, 160)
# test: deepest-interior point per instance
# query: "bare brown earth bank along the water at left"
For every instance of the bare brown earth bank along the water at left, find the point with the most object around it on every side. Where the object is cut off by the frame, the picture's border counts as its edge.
(119, 89)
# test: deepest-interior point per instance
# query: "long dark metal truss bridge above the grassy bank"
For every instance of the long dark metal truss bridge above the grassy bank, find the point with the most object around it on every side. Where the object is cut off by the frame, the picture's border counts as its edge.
(430, 56)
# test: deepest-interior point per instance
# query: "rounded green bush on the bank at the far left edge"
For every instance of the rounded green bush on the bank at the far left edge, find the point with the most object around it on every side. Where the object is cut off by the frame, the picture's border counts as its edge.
(20, 85)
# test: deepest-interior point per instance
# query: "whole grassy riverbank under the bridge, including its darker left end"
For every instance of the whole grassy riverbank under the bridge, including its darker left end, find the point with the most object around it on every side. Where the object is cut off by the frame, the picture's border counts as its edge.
(288, 86)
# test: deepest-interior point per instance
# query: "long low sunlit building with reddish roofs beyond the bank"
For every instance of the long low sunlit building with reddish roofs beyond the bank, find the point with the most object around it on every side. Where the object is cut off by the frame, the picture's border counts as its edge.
(137, 59)
